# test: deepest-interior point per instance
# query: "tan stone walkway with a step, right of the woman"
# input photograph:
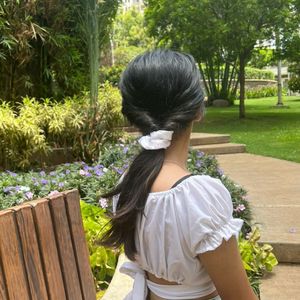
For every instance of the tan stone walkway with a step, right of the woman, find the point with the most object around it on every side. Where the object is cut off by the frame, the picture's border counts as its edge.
(273, 187)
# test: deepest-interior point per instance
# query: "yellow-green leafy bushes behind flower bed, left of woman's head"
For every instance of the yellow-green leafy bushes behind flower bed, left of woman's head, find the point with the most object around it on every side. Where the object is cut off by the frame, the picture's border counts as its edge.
(38, 127)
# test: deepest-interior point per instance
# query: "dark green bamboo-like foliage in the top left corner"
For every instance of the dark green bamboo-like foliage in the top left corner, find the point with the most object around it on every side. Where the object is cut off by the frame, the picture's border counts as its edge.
(43, 46)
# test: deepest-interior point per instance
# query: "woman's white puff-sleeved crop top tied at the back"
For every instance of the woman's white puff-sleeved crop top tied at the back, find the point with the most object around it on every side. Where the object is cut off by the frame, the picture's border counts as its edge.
(177, 225)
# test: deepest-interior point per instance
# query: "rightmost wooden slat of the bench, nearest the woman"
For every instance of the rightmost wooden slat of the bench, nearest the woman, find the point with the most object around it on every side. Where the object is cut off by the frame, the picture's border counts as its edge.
(80, 245)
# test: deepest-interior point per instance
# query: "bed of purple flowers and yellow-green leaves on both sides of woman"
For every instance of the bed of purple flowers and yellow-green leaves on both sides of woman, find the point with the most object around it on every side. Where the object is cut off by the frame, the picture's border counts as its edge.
(92, 180)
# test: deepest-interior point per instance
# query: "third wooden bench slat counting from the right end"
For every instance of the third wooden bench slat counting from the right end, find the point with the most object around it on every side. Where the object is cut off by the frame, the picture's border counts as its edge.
(48, 249)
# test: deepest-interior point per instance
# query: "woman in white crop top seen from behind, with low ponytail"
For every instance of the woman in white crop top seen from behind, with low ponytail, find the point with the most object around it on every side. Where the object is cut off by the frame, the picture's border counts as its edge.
(177, 229)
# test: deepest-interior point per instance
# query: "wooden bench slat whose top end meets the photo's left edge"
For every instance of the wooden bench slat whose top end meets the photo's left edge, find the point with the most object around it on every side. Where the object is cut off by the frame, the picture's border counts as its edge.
(12, 259)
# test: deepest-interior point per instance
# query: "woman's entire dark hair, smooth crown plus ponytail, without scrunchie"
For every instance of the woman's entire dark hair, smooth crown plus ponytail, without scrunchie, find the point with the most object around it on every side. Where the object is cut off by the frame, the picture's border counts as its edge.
(160, 91)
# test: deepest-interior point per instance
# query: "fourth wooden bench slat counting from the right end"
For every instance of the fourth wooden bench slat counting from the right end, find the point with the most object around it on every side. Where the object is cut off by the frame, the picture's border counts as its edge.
(31, 253)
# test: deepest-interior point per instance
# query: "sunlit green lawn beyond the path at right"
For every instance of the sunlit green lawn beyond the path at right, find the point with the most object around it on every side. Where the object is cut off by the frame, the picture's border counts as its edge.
(266, 130)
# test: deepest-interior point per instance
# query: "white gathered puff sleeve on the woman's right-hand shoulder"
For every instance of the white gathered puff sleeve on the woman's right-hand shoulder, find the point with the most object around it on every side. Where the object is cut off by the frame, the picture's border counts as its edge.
(209, 215)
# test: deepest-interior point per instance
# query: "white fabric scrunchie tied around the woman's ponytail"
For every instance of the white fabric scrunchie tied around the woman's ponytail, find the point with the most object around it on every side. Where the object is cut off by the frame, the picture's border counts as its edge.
(160, 139)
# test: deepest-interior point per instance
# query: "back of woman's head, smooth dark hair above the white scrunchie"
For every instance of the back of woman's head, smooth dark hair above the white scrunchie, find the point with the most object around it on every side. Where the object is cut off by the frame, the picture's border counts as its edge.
(161, 91)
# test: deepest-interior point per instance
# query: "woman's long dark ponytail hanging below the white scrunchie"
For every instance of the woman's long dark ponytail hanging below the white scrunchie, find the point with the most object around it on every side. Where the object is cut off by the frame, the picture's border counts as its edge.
(132, 199)
